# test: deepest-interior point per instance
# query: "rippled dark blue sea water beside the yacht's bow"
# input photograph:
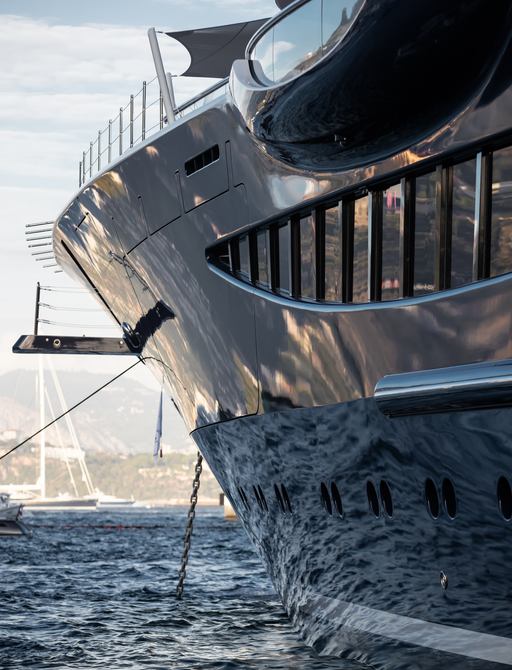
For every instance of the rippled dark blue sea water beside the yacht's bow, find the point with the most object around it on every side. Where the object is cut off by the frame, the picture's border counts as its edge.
(96, 590)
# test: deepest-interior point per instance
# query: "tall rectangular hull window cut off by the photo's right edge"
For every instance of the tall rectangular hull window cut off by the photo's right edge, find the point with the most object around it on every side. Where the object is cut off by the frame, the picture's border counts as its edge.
(501, 212)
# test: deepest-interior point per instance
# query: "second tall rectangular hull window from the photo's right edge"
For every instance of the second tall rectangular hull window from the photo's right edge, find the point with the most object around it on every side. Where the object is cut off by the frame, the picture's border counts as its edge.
(463, 223)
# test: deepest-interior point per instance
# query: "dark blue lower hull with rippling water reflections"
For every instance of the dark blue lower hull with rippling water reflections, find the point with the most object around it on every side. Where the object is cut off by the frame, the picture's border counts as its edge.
(369, 587)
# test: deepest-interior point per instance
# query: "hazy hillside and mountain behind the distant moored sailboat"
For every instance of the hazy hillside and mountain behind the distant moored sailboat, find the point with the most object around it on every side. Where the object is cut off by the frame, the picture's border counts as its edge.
(116, 431)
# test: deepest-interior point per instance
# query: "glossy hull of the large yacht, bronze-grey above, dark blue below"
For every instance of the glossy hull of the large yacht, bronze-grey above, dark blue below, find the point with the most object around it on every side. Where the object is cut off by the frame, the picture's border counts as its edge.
(280, 393)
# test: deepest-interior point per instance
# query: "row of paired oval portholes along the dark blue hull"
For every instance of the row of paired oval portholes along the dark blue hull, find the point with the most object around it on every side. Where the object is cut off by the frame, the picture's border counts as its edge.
(382, 498)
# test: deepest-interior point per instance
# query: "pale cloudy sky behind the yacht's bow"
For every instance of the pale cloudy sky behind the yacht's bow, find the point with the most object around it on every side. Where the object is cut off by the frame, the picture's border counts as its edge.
(67, 67)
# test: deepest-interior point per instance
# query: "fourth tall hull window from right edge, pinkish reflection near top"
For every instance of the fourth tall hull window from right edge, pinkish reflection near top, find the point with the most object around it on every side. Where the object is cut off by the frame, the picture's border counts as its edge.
(391, 207)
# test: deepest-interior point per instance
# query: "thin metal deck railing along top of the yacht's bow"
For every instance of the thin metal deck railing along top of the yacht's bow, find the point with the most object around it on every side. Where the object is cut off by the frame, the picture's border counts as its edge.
(142, 116)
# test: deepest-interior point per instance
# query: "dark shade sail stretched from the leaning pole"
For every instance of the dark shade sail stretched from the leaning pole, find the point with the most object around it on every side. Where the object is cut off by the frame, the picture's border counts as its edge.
(213, 50)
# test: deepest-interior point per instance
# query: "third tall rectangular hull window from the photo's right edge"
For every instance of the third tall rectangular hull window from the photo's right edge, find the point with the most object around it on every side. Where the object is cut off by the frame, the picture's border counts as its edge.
(426, 243)
